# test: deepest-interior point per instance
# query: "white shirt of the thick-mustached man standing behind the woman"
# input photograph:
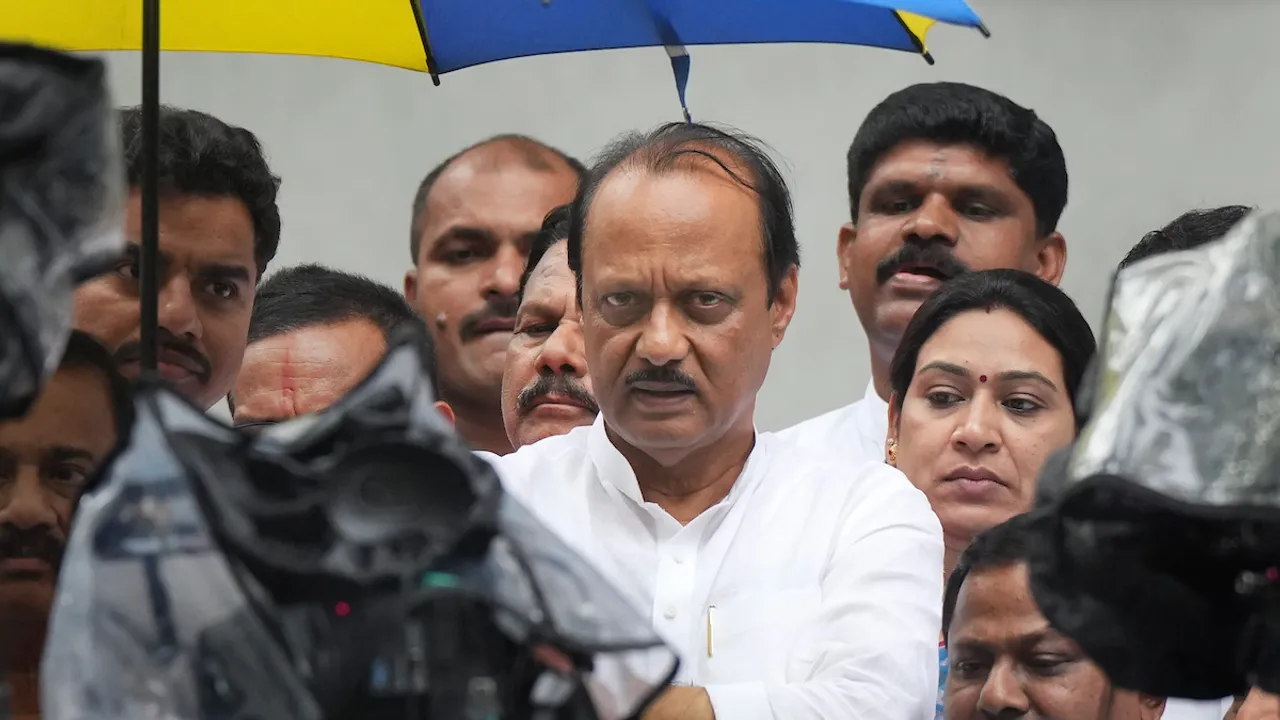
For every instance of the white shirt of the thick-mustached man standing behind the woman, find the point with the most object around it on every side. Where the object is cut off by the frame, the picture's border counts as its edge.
(853, 435)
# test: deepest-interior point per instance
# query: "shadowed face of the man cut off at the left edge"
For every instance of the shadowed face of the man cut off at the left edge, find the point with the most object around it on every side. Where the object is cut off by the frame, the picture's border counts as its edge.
(45, 459)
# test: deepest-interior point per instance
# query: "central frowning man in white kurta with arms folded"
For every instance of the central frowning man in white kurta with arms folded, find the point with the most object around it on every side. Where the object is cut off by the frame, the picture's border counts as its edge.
(793, 589)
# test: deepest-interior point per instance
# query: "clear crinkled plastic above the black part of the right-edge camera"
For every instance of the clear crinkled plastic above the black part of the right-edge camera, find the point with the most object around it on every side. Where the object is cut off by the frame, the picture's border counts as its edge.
(1188, 399)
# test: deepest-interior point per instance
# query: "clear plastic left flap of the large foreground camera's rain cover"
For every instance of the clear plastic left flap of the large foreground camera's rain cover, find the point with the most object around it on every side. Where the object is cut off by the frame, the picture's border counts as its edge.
(143, 584)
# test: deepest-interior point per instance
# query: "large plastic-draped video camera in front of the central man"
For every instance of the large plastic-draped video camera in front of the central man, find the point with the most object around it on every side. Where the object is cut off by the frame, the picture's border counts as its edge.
(356, 563)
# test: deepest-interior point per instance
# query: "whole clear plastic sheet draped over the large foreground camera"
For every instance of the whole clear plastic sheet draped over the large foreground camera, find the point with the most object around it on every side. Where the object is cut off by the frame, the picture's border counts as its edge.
(148, 581)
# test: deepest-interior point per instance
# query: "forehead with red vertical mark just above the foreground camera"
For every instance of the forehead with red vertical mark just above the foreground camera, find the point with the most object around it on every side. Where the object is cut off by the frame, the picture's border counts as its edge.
(307, 371)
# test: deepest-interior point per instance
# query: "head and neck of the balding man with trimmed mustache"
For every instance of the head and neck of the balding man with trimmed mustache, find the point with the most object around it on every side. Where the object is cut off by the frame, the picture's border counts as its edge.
(476, 218)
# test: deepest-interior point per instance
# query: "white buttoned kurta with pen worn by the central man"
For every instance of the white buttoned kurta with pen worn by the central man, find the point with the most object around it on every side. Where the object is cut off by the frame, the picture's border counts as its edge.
(820, 582)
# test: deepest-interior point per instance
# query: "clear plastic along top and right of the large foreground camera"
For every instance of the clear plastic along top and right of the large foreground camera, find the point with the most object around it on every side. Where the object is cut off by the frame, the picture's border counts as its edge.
(541, 587)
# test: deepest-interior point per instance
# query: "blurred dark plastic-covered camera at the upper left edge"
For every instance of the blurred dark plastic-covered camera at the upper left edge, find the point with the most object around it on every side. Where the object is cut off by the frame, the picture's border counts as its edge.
(62, 204)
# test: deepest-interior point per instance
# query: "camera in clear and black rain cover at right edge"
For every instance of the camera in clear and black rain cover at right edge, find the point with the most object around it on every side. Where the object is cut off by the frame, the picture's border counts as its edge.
(1173, 490)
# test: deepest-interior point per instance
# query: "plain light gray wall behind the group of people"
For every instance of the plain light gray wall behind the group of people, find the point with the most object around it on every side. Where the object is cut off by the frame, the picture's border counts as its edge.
(1162, 106)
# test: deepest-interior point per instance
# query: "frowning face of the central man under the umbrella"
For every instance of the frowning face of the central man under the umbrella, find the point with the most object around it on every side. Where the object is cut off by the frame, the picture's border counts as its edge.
(676, 315)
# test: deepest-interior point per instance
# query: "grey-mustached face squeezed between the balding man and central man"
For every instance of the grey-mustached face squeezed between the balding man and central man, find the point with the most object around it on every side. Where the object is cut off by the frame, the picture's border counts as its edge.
(546, 390)
